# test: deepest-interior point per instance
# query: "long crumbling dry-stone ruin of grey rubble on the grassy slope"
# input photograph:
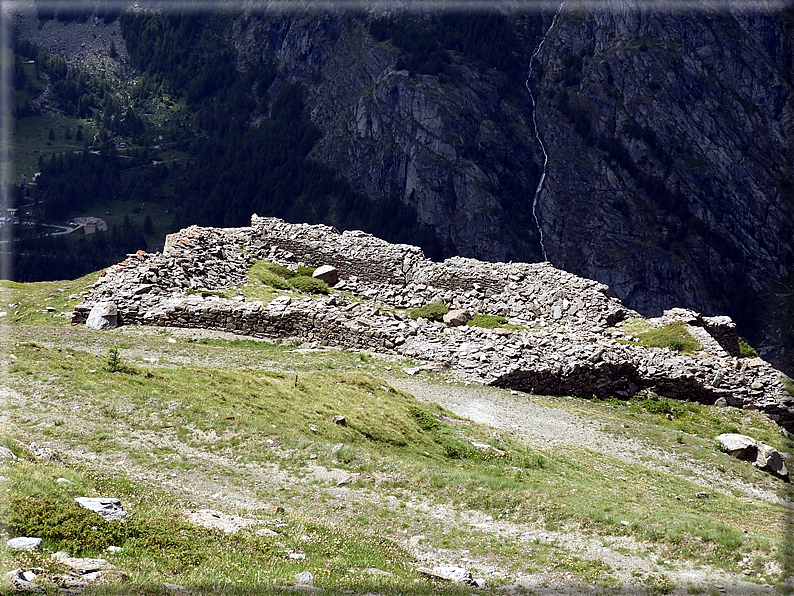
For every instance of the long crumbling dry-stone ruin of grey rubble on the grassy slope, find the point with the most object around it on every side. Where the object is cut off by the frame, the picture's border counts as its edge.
(570, 340)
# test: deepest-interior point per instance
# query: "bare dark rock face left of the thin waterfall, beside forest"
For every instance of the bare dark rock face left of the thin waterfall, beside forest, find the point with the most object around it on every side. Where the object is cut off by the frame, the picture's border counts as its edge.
(441, 143)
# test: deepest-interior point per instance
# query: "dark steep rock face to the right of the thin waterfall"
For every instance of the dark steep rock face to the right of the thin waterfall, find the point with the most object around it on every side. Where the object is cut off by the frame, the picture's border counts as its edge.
(671, 142)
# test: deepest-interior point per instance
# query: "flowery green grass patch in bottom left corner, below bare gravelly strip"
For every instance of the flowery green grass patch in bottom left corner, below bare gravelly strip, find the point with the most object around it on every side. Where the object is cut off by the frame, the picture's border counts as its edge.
(159, 544)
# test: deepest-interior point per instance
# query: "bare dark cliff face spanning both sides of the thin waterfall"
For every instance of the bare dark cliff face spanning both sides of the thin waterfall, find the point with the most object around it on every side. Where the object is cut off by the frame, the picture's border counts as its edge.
(670, 141)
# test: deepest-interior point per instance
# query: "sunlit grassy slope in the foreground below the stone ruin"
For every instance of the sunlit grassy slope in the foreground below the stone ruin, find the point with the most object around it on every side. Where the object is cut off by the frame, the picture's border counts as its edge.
(245, 426)
